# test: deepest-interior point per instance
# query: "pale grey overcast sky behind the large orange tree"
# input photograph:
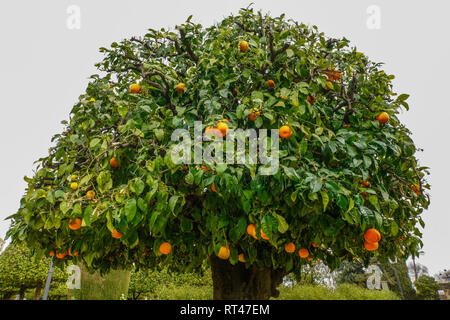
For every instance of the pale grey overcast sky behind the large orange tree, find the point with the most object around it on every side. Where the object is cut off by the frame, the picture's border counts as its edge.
(45, 62)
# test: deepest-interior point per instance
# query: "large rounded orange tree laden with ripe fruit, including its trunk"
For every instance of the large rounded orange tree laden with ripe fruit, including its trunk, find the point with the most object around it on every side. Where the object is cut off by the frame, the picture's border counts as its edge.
(110, 191)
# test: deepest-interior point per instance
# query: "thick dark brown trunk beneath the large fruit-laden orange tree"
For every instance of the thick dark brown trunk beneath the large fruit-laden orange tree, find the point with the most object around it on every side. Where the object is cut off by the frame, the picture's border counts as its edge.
(238, 283)
